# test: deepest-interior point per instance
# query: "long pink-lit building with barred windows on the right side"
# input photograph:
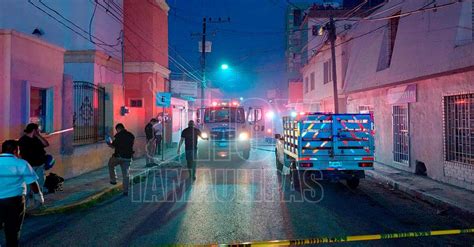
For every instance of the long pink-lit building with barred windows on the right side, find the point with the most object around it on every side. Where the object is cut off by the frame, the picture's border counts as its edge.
(415, 73)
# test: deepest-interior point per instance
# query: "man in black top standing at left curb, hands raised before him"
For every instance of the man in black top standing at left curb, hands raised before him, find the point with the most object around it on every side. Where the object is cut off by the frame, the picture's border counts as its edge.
(123, 144)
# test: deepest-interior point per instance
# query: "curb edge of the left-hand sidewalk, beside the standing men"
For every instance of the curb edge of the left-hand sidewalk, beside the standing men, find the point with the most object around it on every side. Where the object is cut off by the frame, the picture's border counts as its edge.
(93, 199)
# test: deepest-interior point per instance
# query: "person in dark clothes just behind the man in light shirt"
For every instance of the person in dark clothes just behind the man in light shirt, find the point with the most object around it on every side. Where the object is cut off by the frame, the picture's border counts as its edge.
(32, 146)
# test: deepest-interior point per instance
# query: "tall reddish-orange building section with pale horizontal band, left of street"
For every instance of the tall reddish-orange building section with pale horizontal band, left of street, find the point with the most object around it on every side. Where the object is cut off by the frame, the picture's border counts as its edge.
(146, 54)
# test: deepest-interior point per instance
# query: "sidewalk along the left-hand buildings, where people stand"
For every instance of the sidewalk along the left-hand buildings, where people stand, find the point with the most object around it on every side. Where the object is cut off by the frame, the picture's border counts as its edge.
(88, 187)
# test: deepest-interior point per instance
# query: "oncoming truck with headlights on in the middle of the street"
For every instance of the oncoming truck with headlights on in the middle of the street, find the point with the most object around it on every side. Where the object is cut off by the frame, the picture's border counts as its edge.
(224, 125)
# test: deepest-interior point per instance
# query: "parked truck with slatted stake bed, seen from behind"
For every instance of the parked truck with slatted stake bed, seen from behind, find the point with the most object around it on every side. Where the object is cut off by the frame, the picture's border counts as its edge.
(337, 146)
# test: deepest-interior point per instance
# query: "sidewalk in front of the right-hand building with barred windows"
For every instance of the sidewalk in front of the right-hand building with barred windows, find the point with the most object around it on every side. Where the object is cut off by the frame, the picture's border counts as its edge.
(424, 188)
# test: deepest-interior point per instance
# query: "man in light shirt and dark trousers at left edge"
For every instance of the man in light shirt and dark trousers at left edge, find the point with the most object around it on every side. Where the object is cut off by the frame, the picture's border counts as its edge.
(15, 175)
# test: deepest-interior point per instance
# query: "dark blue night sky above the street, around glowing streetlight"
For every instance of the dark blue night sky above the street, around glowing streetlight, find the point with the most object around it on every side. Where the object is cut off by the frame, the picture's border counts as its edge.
(252, 43)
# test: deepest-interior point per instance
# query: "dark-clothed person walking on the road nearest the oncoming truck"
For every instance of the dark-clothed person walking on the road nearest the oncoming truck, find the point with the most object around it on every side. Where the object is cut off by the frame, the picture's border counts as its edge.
(190, 138)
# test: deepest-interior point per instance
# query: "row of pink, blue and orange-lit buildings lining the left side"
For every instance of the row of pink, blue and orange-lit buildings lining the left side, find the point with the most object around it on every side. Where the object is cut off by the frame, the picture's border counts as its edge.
(65, 70)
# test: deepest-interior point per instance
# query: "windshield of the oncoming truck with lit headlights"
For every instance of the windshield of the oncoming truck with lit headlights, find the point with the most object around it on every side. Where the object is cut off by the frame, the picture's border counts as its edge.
(224, 114)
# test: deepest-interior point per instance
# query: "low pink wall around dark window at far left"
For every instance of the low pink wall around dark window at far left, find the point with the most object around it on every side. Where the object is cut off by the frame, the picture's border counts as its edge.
(28, 62)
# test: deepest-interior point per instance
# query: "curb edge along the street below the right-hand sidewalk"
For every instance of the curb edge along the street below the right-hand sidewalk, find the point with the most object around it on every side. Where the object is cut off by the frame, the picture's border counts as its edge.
(425, 196)
